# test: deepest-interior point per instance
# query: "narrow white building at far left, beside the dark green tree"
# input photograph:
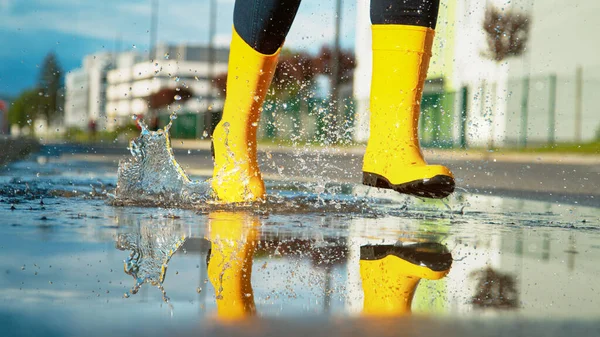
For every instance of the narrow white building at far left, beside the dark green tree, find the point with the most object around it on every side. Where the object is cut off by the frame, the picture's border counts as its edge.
(85, 91)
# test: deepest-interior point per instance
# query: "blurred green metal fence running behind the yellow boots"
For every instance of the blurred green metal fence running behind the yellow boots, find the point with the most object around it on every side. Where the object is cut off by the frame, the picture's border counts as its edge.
(529, 111)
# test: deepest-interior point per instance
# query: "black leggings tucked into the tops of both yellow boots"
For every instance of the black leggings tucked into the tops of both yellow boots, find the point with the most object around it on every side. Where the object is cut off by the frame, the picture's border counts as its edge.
(264, 24)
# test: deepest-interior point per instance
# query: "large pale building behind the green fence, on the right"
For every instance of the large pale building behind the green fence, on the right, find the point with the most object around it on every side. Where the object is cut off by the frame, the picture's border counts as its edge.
(499, 103)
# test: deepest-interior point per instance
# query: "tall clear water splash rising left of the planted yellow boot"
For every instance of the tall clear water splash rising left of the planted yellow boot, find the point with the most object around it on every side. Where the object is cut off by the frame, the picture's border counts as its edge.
(153, 176)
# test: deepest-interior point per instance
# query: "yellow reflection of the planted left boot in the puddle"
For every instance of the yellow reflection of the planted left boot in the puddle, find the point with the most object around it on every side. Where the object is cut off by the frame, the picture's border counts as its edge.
(233, 240)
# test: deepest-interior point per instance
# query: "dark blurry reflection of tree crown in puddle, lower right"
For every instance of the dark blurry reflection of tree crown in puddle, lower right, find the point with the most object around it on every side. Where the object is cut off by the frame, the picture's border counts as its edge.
(495, 290)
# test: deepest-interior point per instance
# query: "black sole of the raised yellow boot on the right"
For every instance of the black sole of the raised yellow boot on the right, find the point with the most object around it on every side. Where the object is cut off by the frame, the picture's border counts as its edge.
(438, 187)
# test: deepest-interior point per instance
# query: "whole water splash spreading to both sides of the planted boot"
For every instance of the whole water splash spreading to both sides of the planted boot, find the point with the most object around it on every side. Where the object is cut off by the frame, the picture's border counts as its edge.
(152, 177)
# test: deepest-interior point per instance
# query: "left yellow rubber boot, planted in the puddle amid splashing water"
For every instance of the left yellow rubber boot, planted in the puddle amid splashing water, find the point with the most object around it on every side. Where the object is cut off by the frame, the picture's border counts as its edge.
(236, 176)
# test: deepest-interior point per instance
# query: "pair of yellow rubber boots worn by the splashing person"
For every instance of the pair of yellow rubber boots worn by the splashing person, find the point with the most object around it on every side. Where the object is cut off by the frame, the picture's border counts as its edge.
(393, 158)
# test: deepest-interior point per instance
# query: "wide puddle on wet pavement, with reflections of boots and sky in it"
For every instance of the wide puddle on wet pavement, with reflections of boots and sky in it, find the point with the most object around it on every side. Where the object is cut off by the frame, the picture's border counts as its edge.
(319, 258)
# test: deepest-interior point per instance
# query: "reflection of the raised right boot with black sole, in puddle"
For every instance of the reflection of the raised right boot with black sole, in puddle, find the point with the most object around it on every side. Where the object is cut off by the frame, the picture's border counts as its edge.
(390, 274)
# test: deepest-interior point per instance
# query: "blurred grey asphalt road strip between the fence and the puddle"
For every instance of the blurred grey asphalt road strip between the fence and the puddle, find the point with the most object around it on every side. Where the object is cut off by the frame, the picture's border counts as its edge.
(557, 182)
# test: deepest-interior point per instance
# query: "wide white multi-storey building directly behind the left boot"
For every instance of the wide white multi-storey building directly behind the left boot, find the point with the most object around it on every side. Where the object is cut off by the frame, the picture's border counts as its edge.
(131, 83)
